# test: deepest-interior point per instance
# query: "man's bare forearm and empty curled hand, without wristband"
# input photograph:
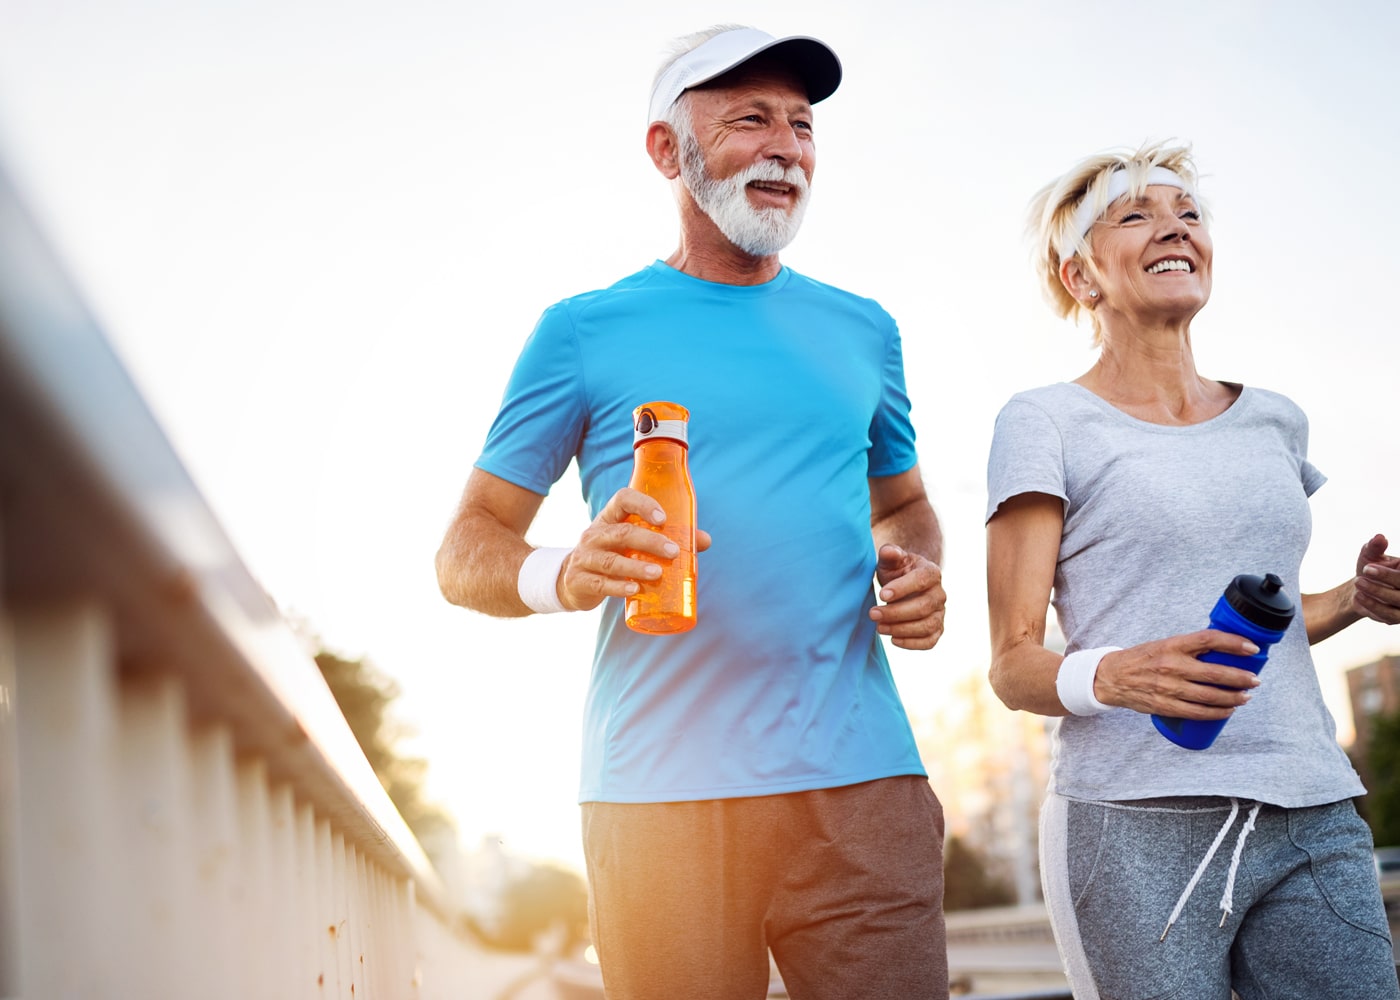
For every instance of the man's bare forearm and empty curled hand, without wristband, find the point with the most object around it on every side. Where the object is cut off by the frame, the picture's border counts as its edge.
(909, 547)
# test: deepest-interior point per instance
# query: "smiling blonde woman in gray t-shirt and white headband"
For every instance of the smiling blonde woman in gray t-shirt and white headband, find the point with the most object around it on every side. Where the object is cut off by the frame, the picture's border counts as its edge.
(1133, 496)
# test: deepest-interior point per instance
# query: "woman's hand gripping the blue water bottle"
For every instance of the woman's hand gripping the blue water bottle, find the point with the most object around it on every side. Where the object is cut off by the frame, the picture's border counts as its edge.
(1165, 679)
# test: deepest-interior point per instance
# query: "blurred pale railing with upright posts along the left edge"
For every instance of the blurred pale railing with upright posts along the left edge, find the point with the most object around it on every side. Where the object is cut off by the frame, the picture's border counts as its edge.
(184, 812)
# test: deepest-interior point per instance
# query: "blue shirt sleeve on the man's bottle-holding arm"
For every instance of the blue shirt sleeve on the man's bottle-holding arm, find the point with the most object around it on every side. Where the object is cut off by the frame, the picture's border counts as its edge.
(542, 418)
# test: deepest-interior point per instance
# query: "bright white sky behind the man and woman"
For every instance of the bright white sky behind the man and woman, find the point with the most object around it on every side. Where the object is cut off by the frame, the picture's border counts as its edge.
(318, 233)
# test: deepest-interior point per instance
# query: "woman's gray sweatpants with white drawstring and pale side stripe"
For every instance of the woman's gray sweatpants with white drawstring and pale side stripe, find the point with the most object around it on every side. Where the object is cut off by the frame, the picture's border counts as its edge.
(1289, 907)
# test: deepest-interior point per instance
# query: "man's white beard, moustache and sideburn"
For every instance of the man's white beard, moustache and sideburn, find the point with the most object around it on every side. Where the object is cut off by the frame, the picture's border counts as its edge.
(758, 232)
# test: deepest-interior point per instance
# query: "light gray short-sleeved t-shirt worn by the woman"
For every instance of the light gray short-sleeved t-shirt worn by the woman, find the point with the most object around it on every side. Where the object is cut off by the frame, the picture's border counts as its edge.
(1157, 522)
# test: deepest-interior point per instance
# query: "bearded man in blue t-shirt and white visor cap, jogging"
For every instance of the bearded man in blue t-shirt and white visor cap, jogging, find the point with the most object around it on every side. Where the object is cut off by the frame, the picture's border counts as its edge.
(752, 784)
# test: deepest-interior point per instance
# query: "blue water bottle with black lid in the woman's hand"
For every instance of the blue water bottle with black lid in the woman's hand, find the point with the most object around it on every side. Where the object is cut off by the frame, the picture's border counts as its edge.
(1252, 607)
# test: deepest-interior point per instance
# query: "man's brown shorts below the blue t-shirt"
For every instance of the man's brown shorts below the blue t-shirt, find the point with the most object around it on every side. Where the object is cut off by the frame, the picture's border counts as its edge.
(845, 886)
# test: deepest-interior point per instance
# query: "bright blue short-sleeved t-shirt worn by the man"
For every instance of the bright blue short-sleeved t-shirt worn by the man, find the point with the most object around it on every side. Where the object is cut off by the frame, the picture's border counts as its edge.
(797, 394)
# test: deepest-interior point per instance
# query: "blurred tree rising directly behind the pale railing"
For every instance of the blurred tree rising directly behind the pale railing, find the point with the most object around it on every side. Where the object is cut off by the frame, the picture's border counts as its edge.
(365, 698)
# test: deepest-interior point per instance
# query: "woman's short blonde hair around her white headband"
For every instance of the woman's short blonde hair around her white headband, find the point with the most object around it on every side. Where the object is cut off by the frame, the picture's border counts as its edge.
(1051, 223)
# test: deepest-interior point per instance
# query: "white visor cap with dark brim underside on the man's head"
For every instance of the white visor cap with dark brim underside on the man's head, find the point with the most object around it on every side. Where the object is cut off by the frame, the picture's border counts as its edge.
(813, 61)
